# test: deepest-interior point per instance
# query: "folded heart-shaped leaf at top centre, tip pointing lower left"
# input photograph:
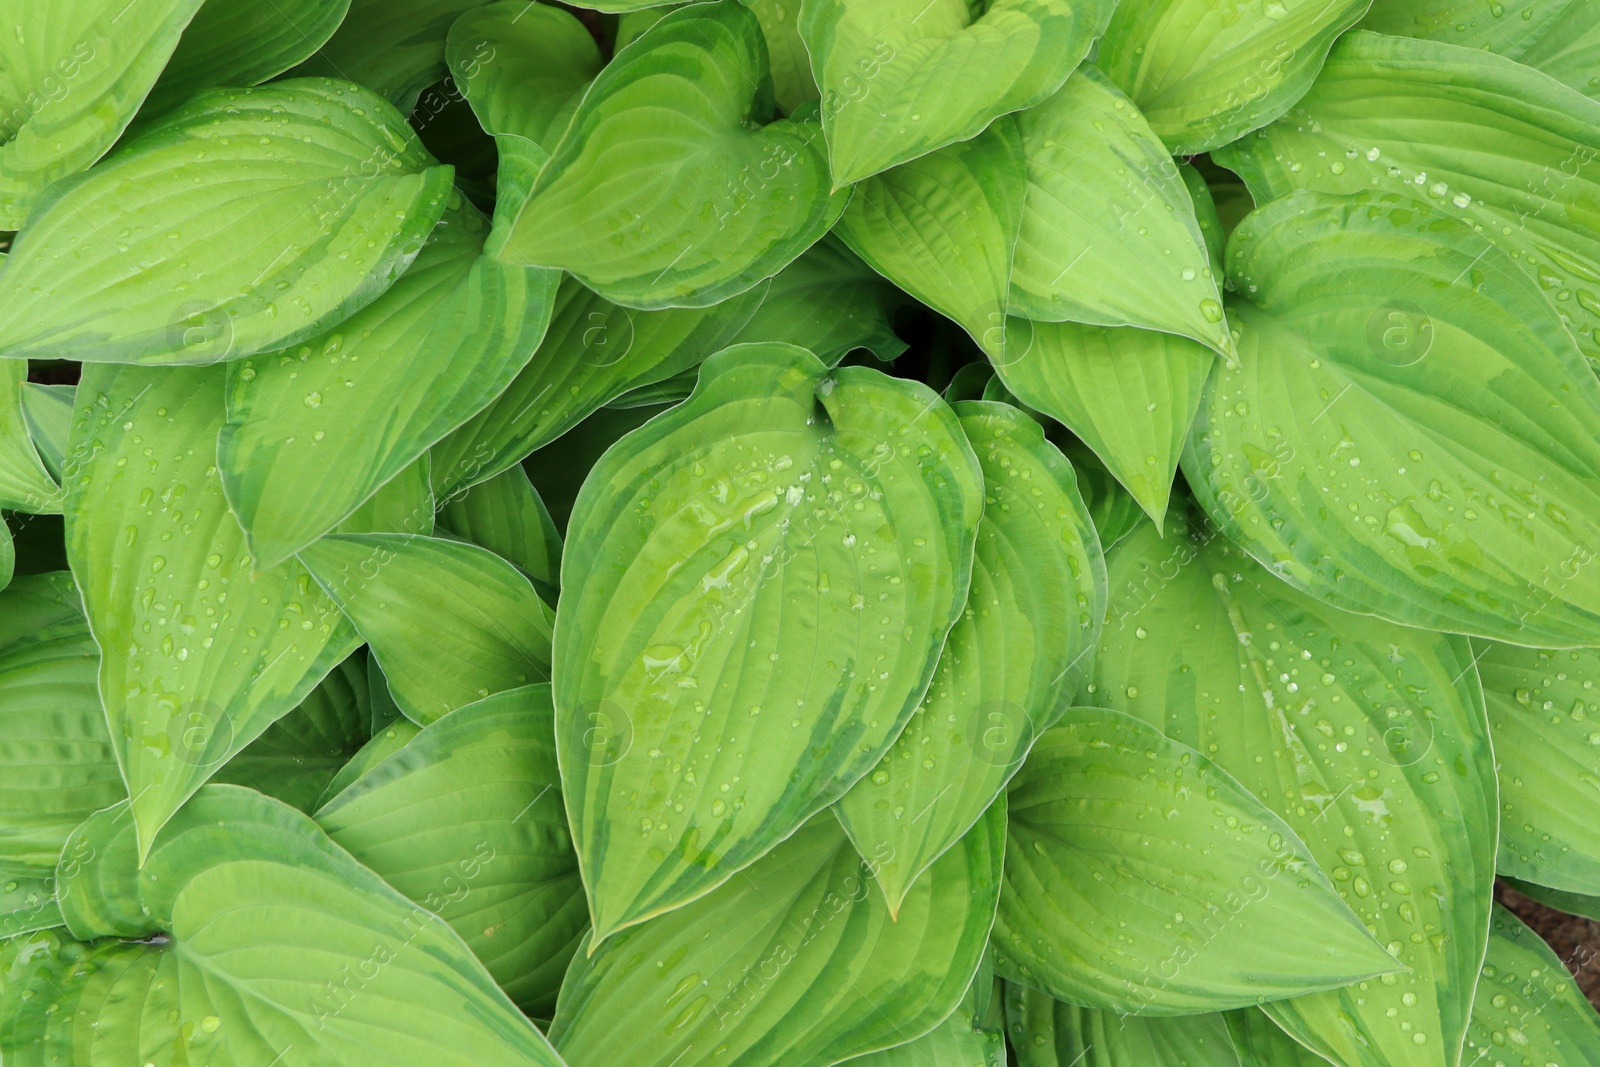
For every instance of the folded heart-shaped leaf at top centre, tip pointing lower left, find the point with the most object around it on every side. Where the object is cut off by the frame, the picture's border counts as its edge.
(674, 186)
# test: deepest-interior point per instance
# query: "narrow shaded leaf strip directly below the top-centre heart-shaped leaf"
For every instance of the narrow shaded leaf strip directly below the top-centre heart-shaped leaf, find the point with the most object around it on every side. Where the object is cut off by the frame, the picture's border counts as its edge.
(593, 353)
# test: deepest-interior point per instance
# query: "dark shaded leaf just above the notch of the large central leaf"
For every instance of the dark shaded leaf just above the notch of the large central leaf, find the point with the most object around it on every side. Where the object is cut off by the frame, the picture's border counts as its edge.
(831, 303)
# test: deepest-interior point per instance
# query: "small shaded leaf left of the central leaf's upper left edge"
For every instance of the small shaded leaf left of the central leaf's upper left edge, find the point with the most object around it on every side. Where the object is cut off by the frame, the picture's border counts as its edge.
(508, 518)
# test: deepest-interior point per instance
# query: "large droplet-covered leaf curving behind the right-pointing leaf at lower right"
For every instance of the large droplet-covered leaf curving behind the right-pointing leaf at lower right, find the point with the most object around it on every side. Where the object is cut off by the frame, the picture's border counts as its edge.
(1367, 738)
